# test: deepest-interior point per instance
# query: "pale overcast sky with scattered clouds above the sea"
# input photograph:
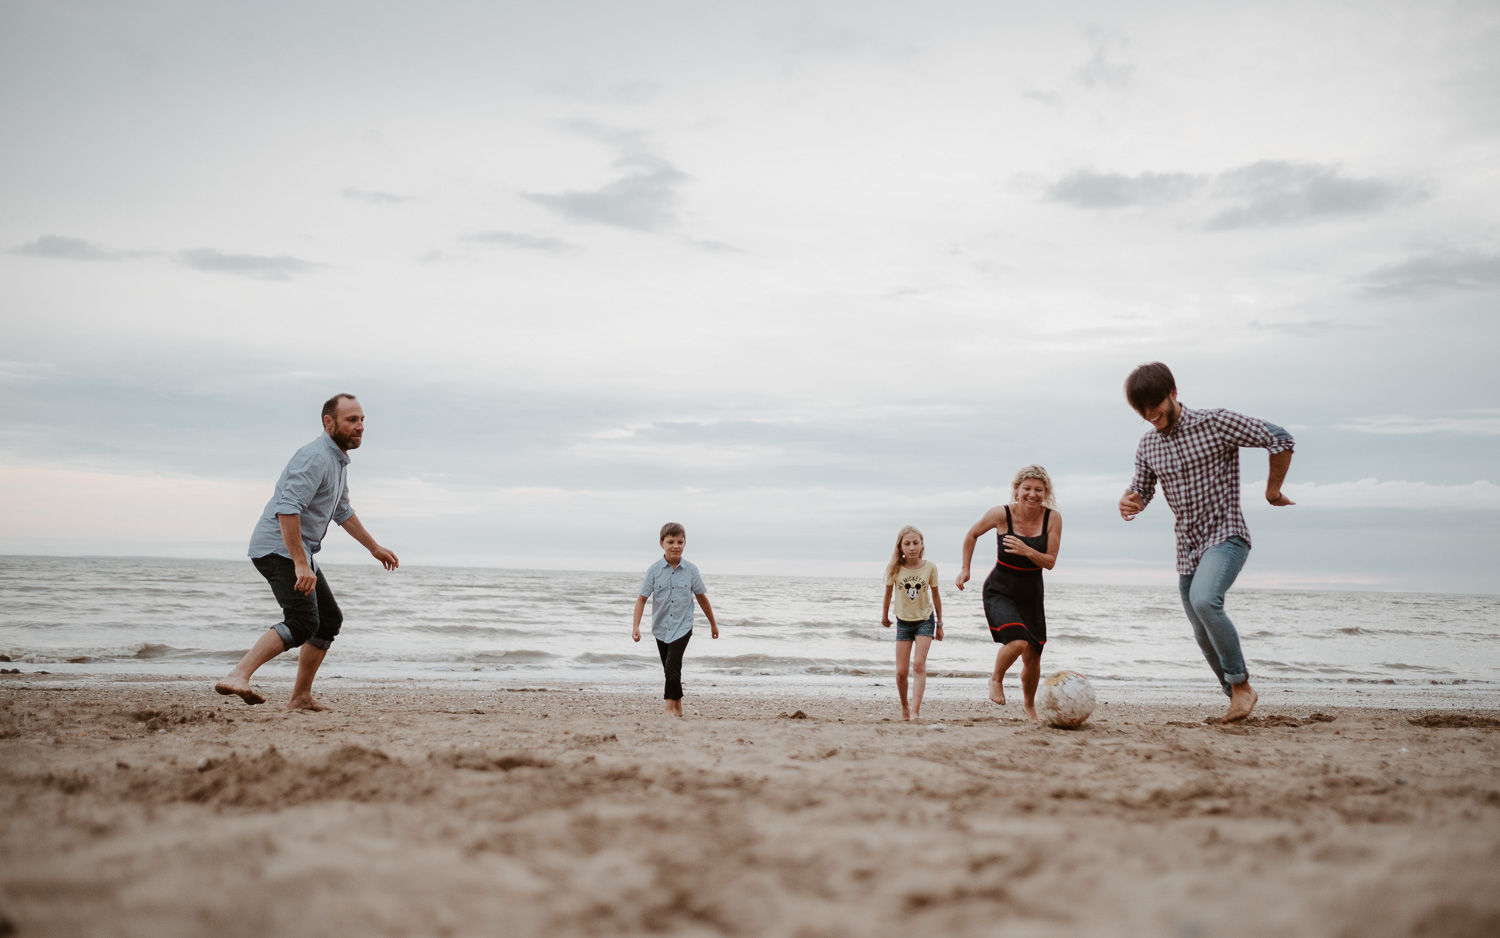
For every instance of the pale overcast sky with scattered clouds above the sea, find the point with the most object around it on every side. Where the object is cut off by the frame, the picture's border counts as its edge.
(791, 274)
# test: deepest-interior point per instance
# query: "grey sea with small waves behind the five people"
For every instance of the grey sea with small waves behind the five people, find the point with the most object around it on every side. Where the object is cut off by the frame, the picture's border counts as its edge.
(112, 616)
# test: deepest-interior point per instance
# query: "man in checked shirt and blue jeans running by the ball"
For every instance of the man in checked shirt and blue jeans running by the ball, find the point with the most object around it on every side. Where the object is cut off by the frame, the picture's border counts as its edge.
(1195, 454)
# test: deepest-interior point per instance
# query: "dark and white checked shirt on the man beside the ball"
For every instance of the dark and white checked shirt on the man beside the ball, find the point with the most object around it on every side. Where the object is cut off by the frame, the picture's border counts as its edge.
(1198, 464)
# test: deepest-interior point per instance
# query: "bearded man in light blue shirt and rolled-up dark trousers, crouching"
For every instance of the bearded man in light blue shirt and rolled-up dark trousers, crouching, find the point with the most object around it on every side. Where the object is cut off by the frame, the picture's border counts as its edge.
(311, 493)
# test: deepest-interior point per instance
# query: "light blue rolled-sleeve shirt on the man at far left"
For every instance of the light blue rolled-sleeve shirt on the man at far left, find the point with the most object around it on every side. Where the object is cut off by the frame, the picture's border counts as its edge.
(313, 486)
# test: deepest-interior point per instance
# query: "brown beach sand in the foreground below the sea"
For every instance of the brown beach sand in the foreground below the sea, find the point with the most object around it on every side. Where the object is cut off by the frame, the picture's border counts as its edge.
(136, 808)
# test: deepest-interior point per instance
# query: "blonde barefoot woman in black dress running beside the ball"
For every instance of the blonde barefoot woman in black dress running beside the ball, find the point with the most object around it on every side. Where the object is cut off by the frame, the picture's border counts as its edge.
(1028, 534)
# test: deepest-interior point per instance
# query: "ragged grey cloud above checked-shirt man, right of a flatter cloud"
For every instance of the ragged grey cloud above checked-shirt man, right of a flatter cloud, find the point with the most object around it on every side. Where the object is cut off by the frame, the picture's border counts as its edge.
(1288, 193)
